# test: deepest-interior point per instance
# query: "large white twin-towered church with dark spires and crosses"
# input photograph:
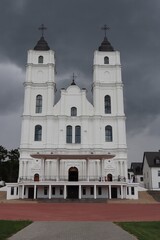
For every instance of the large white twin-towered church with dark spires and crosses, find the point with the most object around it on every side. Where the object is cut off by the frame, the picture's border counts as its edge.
(73, 149)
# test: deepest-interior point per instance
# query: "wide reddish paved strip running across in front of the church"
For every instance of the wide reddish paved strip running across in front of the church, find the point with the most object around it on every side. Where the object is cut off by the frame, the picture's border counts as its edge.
(80, 212)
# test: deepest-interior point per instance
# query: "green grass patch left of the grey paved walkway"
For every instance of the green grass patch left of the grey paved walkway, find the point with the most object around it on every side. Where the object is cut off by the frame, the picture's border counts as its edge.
(8, 228)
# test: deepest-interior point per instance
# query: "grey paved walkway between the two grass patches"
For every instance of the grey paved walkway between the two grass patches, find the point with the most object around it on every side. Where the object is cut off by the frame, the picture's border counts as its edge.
(72, 231)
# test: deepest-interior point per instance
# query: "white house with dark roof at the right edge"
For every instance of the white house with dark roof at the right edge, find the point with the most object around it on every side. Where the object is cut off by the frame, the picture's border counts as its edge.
(151, 170)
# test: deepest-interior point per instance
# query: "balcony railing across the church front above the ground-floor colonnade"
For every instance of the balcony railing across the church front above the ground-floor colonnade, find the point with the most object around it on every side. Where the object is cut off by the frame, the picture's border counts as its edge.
(80, 178)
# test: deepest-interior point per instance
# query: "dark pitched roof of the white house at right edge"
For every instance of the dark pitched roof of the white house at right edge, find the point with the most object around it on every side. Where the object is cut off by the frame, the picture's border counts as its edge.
(153, 158)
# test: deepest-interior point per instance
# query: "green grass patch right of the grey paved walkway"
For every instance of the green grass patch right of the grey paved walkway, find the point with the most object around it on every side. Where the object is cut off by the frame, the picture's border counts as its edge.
(142, 230)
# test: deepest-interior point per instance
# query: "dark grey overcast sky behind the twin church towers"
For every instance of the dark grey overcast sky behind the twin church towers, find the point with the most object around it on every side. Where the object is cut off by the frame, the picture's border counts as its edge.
(74, 32)
